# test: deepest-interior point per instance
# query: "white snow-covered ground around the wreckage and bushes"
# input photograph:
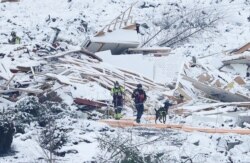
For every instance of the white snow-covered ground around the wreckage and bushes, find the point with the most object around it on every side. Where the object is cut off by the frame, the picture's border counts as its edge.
(78, 19)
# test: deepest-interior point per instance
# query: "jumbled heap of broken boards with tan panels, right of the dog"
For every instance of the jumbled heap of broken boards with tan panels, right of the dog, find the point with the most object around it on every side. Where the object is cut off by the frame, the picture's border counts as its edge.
(213, 84)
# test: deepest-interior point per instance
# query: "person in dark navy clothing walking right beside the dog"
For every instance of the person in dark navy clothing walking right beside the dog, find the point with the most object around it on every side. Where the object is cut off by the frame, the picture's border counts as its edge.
(139, 97)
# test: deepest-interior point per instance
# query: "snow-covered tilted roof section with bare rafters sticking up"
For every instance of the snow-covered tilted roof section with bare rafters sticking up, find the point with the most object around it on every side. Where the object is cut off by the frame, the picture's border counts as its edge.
(120, 36)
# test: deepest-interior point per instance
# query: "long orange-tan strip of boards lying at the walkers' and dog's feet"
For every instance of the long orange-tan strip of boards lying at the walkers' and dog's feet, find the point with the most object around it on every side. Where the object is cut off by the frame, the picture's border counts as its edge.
(130, 123)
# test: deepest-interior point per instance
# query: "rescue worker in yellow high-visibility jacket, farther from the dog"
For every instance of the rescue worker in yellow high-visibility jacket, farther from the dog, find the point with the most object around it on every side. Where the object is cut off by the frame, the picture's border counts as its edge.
(117, 92)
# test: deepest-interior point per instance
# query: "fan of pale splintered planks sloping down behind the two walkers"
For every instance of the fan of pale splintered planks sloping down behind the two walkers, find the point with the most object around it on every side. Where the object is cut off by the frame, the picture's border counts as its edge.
(88, 69)
